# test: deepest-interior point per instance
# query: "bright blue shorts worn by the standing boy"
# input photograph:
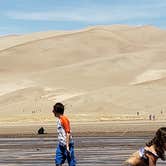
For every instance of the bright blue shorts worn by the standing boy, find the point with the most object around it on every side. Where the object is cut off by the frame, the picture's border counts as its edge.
(62, 155)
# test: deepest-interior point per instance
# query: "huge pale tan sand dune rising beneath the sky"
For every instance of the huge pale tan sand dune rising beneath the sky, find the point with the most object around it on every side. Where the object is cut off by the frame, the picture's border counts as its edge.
(101, 73)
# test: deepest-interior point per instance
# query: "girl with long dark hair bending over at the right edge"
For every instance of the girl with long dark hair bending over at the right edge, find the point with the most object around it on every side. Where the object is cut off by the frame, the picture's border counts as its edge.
(148, 155)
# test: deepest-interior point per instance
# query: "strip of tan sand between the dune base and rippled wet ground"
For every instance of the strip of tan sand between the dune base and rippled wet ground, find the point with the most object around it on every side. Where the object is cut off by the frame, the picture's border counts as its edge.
(120, 128)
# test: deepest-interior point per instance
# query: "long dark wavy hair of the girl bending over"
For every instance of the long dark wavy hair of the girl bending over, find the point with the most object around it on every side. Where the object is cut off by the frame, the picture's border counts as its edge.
(158, 141)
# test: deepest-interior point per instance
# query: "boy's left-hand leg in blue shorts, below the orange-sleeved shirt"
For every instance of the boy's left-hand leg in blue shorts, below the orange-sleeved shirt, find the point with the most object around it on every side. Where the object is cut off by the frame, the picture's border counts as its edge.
(60, 156)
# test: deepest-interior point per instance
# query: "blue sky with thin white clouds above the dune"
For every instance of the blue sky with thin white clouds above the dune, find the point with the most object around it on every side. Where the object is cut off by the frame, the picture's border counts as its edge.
(27, 16)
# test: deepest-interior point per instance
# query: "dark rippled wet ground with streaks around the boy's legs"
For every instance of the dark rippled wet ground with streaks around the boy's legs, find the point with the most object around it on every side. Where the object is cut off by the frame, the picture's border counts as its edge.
(89, 150)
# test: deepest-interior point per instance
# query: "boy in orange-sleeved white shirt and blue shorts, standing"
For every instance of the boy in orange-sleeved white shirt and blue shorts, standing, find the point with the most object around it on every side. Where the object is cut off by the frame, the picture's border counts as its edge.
(65, 147)
